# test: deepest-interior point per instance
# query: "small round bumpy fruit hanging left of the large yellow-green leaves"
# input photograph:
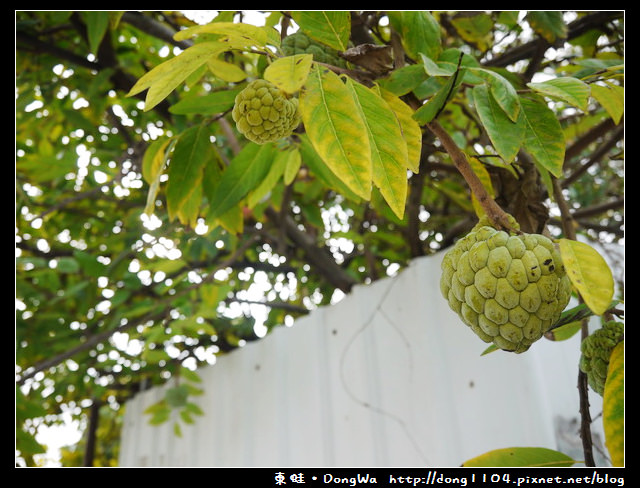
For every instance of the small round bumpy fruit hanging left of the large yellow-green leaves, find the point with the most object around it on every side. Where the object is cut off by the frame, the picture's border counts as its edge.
(263, 113)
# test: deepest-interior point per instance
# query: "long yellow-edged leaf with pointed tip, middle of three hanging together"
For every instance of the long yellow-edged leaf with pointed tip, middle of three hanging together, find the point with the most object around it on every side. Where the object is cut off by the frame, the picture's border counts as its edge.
(388, 147)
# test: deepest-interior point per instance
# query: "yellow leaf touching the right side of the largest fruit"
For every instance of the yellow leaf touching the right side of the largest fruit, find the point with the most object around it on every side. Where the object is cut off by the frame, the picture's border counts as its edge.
(589, 273)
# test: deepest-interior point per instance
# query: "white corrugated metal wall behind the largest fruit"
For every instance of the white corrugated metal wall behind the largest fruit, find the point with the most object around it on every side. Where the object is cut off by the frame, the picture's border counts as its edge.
(387, 377)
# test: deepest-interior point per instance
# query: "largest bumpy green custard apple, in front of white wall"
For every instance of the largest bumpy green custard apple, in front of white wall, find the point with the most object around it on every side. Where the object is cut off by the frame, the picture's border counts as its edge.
(509, 289)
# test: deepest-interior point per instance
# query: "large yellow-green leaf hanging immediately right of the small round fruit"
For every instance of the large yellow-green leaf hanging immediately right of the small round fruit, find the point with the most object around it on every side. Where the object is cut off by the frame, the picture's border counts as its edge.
(336, 130)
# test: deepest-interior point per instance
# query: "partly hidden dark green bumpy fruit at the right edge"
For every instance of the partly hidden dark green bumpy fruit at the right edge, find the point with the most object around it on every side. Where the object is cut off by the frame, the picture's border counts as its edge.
(596, 350)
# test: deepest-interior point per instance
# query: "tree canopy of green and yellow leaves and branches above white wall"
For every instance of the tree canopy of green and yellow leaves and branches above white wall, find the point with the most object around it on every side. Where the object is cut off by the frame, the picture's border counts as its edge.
(151, 236)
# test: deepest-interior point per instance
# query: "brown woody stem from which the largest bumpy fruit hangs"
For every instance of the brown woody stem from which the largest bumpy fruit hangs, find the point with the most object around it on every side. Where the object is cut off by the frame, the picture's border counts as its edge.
(498, 217)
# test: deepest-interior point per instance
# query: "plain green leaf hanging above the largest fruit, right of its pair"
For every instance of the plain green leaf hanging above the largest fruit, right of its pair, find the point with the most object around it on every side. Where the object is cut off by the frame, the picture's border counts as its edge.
(543, 138)
